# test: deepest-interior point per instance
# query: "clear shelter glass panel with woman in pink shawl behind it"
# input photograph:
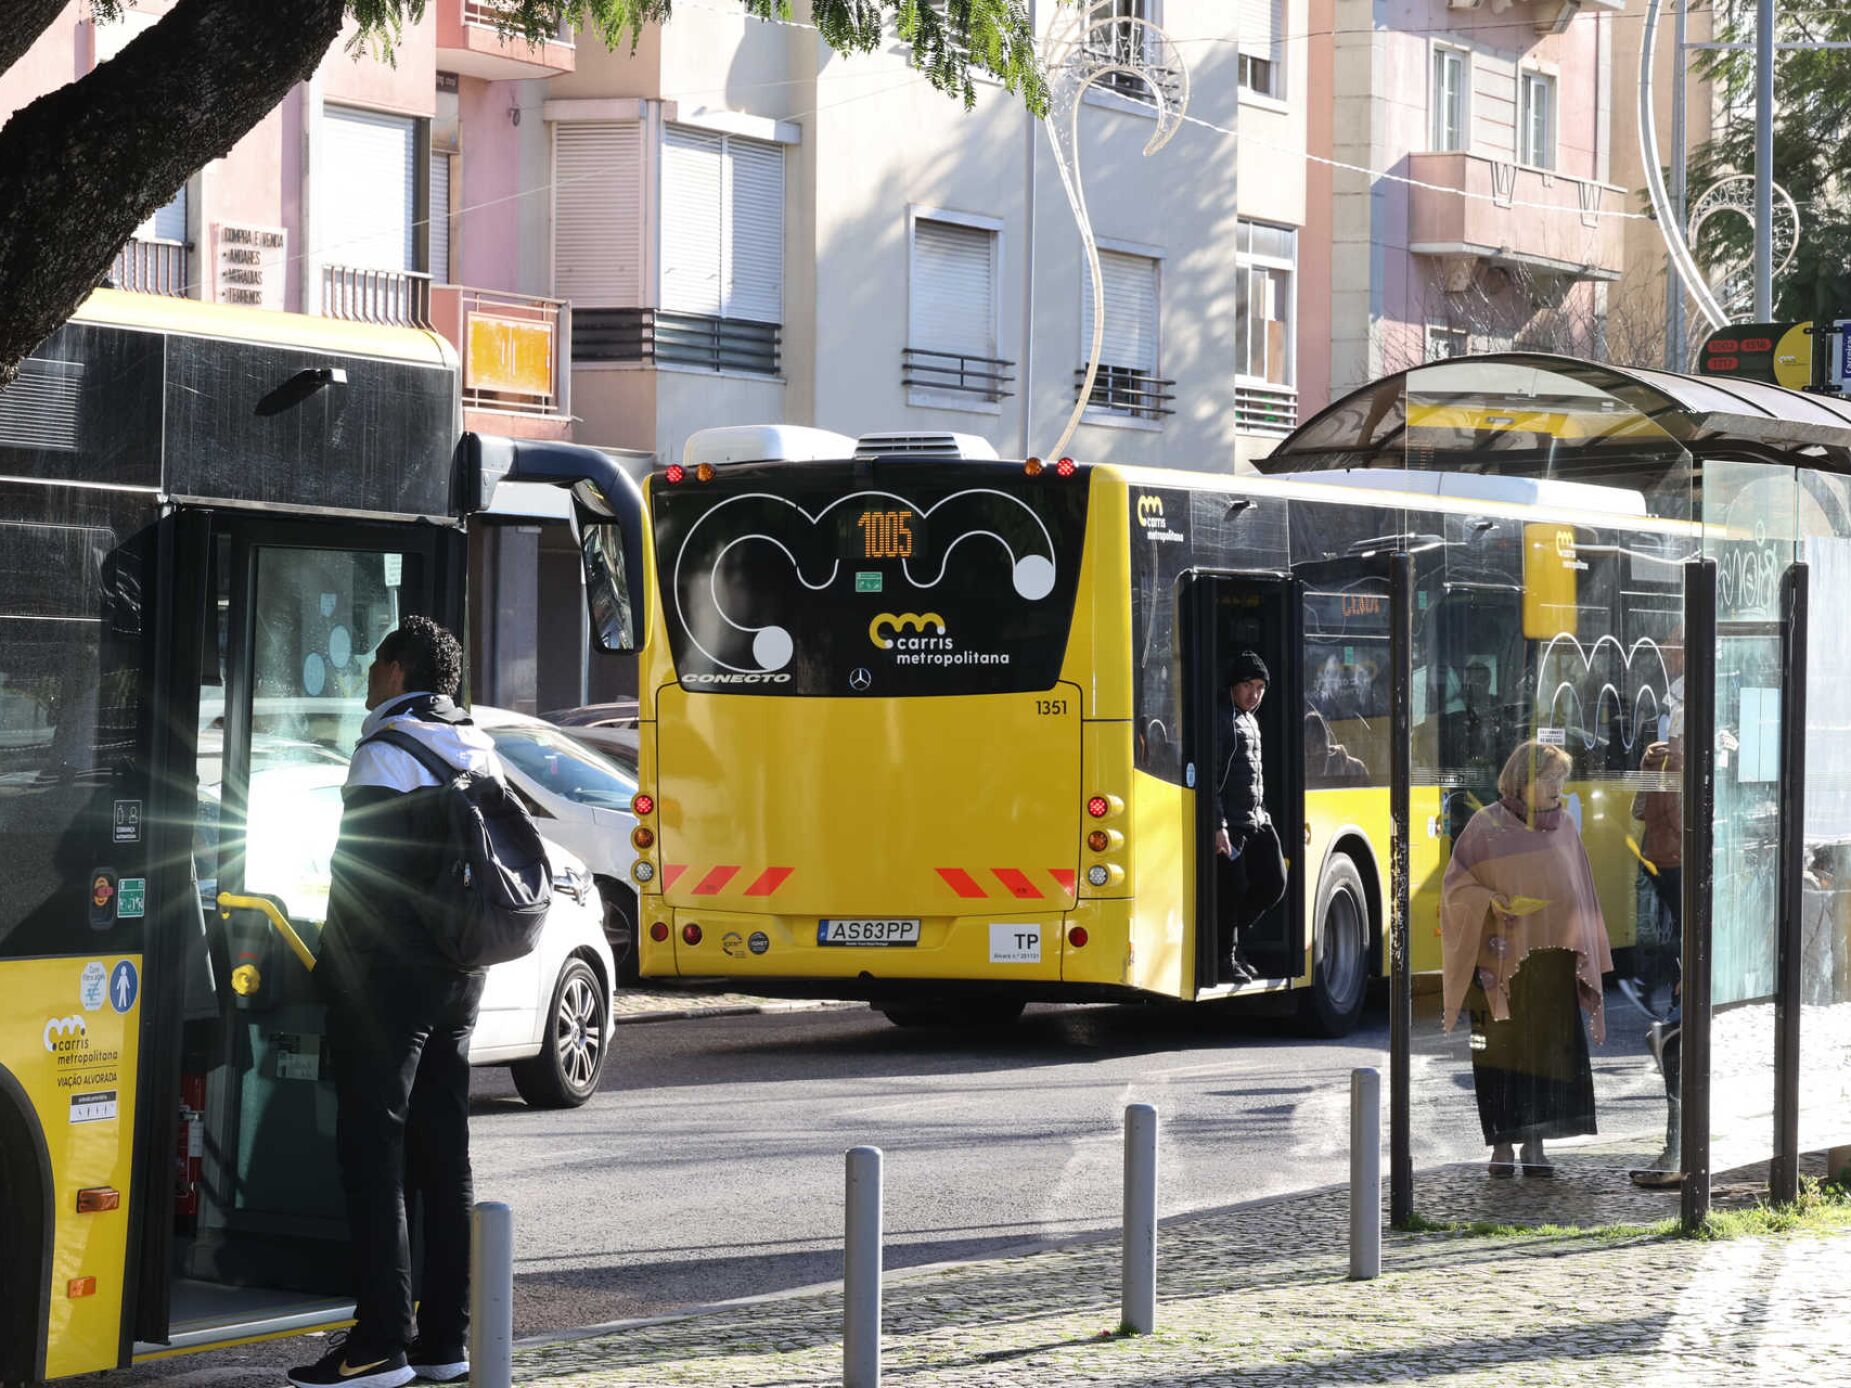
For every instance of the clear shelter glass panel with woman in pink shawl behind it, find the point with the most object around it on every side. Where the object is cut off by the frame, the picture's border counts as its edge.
(1548, 508)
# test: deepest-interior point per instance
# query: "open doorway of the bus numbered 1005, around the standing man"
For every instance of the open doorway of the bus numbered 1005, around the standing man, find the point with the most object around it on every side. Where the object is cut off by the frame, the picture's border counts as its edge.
(1226, 613)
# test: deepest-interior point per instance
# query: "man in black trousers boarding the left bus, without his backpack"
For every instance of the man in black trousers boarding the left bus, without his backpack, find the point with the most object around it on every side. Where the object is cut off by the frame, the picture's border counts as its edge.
(399, 1024)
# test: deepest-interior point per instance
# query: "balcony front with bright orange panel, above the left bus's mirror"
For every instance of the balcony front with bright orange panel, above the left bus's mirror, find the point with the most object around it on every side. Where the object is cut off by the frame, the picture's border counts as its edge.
(514, 349)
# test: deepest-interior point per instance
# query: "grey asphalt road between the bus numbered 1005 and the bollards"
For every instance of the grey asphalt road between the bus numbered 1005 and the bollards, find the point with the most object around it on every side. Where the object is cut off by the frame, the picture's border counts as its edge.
(710, 1167)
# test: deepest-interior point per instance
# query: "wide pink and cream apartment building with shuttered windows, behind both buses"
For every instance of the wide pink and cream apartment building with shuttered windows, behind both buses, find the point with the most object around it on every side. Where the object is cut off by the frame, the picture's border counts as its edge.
(736, 225)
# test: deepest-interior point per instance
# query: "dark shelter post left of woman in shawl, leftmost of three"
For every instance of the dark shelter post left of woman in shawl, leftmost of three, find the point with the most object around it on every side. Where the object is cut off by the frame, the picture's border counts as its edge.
(1400, 976)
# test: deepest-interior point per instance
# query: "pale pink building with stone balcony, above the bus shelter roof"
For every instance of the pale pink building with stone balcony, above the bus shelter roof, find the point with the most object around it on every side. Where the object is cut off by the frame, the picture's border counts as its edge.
(1471, 204)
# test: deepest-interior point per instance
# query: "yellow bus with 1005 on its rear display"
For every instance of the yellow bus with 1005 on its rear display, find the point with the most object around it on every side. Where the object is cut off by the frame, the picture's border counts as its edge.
(930, 730)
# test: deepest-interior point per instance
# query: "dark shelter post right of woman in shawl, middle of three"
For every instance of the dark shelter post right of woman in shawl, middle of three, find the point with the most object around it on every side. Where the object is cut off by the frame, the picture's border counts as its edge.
(1700, 808)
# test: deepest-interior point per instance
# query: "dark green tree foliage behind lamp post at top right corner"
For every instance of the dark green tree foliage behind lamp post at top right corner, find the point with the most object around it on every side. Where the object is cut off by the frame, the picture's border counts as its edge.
(1811, 151)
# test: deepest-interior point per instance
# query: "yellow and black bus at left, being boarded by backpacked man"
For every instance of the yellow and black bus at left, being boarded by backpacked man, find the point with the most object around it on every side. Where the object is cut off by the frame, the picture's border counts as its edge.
(208, 519)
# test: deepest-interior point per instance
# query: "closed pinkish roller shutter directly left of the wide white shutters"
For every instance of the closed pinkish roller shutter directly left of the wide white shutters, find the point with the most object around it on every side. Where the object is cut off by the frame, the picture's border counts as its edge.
(599, 214)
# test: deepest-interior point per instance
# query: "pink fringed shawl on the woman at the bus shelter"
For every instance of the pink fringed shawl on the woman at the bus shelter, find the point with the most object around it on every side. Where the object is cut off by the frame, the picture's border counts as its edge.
(1506, 861)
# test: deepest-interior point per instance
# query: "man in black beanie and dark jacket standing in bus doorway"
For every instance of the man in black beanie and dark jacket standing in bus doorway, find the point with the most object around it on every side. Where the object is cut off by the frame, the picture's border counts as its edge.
(1252, 863)
